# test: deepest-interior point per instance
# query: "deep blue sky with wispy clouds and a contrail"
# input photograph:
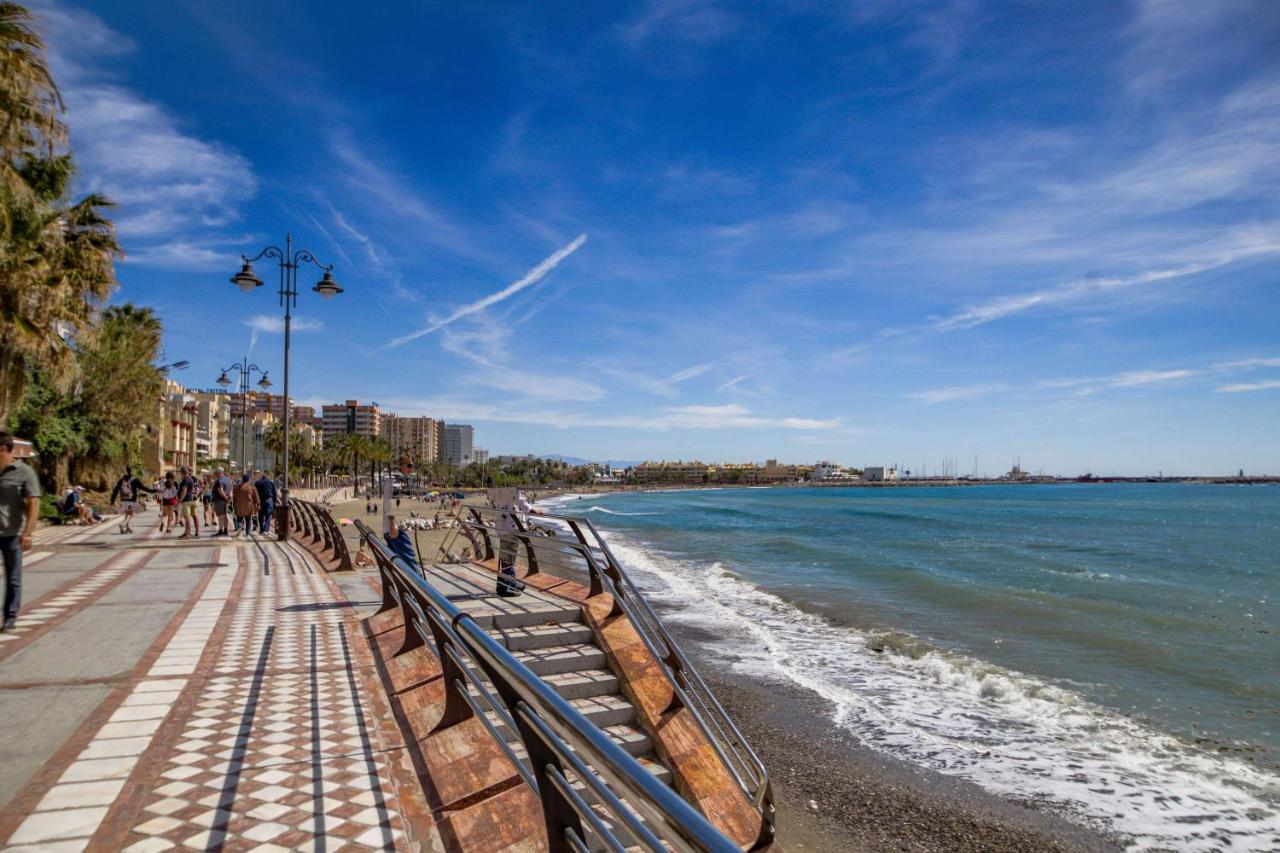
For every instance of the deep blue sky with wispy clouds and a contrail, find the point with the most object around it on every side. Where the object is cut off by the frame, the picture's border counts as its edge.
(881, 232)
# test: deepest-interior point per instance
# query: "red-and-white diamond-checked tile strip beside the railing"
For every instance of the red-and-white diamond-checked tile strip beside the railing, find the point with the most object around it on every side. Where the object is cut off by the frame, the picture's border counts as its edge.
(277, 752)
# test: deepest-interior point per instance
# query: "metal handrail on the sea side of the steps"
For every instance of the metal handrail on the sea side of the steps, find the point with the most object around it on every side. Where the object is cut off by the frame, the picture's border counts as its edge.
(606, 574)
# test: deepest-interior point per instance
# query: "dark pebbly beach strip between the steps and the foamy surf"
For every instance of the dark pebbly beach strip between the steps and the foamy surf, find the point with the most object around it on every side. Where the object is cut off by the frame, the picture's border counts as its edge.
(834, 793)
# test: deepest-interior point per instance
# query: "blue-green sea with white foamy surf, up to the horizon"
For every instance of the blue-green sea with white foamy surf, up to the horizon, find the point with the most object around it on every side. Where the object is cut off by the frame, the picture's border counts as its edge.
(1108, 651)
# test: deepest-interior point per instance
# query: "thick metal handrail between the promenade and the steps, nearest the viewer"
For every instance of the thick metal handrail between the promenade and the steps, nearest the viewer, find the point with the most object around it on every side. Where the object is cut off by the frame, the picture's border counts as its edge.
(555, 735)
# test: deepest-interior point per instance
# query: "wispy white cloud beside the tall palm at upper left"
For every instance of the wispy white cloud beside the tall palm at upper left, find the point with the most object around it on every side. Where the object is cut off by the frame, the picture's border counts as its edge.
(175, 190)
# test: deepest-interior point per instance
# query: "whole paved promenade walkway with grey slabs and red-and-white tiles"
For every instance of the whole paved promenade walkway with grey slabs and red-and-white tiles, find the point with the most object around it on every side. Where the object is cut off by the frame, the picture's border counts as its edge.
(194, 695)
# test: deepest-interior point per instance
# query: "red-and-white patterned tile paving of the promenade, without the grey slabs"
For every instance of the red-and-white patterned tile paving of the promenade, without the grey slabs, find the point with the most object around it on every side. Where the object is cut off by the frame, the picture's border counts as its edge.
(249, 726)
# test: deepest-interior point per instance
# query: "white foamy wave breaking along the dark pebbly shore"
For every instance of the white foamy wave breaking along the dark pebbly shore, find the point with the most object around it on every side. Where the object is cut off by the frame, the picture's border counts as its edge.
(1009, 732)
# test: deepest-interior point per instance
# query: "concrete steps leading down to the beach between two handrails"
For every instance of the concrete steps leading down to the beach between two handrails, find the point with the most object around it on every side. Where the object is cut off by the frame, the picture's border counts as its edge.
(550, 637)
